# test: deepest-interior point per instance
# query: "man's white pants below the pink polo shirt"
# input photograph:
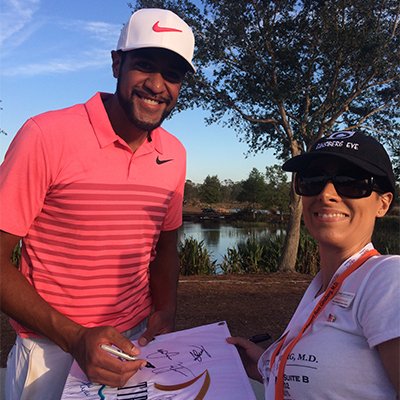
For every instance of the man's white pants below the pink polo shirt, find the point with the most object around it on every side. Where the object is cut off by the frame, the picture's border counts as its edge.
(37, 368)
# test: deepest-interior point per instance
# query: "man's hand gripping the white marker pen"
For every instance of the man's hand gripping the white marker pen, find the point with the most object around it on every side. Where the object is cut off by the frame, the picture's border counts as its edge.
(100, 366)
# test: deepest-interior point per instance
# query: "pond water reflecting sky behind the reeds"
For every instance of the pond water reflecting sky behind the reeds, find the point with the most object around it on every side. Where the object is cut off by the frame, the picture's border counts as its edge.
(219, 235)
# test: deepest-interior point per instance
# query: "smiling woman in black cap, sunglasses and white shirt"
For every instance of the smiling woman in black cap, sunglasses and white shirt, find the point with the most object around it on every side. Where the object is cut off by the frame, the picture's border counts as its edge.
(343, 340)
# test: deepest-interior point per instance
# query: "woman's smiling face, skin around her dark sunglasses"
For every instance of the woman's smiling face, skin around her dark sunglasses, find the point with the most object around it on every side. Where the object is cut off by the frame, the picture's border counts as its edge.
(337, 221)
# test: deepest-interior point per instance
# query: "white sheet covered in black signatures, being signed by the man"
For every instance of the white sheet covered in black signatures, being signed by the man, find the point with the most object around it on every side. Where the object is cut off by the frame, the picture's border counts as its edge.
(193, 364)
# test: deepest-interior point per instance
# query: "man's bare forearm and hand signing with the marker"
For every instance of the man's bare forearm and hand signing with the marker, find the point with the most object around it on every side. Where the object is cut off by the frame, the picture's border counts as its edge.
(21, 301)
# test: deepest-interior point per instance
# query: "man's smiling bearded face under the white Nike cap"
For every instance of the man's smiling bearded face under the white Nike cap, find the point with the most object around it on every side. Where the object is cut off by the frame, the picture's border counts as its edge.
(149, 81)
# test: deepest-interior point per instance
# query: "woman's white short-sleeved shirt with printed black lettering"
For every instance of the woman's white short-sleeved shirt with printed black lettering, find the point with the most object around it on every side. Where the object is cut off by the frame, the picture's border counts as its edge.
(337, 357)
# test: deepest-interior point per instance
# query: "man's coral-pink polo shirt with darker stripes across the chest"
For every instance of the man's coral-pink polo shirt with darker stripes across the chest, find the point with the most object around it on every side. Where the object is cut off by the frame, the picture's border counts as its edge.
(90, 212)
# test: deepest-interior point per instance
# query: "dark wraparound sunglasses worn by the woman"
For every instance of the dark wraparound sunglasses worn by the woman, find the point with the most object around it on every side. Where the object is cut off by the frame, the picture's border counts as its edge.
(351, 184)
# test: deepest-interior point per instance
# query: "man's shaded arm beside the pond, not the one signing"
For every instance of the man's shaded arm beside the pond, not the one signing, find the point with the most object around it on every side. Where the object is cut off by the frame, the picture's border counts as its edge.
(164, 275)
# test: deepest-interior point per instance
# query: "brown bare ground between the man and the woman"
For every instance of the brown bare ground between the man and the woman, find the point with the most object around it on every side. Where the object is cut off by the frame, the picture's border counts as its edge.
(250, 304)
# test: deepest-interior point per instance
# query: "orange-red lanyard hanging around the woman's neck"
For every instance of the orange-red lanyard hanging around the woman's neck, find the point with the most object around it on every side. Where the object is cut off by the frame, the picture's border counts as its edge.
(329, 294)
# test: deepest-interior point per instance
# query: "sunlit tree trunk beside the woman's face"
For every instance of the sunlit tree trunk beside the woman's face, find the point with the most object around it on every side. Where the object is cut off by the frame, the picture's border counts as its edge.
(287, 260)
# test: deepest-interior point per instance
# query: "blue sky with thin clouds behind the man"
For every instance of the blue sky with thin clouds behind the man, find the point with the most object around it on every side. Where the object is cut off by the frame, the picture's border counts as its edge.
(55, 54)
